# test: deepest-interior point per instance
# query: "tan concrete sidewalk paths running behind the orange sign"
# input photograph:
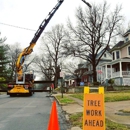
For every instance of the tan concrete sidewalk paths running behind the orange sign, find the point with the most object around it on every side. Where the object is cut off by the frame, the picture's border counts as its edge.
(112, 110)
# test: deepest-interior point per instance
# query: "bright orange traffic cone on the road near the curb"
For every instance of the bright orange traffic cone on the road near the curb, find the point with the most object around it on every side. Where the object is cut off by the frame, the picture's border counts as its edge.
(53, 122)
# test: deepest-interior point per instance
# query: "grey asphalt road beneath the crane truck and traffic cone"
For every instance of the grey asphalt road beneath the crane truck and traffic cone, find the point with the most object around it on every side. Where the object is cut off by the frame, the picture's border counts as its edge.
(28, 113)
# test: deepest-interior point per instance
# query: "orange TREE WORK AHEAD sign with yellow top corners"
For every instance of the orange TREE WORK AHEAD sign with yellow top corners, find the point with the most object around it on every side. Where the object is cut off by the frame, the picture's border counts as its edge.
(93, 113)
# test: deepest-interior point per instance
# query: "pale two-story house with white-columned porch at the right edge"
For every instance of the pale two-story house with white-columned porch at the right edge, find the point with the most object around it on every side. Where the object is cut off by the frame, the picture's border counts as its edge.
(119, 67)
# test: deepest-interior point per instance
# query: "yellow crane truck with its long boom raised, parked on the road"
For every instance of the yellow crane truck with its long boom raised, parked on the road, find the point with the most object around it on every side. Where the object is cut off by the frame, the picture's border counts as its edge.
(24, 83)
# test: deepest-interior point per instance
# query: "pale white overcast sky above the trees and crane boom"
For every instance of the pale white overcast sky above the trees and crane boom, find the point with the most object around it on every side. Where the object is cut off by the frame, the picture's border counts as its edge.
(30, 14)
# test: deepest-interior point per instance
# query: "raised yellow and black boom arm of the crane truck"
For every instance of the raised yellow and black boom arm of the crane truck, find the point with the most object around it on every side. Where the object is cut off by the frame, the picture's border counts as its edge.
(41, 28)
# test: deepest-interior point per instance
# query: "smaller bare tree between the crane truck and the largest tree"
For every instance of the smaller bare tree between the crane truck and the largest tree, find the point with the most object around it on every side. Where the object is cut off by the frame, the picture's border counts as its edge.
(51, 56)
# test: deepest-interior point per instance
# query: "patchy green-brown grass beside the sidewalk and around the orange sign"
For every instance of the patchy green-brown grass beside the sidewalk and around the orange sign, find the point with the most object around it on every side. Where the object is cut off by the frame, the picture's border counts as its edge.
(76, 119)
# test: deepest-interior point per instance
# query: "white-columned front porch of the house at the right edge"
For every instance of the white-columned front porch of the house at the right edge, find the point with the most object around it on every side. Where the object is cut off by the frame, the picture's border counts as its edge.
(118, 70)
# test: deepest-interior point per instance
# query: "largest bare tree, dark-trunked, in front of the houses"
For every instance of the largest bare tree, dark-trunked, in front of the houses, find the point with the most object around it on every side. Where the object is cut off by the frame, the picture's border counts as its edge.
(94, 30)
